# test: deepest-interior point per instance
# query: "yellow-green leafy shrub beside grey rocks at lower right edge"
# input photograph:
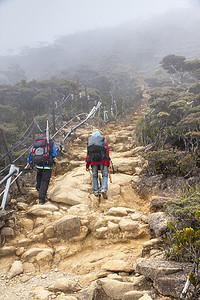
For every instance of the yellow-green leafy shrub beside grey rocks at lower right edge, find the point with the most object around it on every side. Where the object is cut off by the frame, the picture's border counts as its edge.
(184, 225)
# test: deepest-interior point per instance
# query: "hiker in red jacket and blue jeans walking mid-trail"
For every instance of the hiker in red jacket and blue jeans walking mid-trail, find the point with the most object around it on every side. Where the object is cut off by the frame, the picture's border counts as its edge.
(101, 164)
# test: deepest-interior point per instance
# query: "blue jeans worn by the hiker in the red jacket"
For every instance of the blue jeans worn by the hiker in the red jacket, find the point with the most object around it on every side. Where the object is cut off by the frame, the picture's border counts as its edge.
(104, 172)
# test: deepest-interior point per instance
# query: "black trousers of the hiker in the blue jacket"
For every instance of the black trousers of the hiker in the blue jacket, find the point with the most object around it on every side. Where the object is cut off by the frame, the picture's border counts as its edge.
(43, 178)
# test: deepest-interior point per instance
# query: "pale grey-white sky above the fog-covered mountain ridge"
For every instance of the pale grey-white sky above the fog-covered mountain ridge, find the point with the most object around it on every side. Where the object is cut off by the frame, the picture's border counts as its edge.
(32, 22)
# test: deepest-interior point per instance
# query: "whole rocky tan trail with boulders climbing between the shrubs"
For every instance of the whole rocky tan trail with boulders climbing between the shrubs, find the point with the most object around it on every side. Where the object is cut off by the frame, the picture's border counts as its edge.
(76, 246)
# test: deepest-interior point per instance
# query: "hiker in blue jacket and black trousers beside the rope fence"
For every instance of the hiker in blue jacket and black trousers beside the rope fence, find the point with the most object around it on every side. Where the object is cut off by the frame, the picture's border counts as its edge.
(43, 164)
